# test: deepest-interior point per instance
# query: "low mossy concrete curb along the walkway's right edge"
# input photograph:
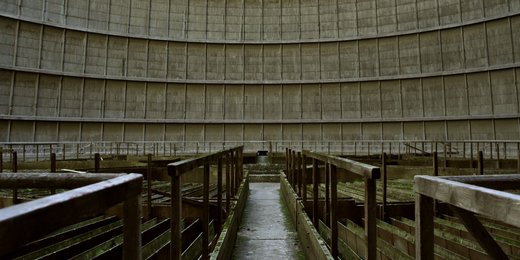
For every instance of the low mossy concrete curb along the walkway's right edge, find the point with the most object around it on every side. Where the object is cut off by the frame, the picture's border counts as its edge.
(313, 245)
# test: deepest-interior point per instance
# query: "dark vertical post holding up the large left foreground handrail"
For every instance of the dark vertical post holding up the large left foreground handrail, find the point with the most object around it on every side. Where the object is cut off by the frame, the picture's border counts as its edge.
(132, 228)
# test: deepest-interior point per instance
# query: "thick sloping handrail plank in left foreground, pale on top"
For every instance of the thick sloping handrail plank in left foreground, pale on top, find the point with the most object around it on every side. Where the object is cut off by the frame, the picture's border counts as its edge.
(26, 222)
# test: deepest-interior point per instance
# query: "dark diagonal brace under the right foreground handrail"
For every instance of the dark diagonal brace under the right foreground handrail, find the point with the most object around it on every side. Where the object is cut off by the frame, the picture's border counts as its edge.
(480, 233)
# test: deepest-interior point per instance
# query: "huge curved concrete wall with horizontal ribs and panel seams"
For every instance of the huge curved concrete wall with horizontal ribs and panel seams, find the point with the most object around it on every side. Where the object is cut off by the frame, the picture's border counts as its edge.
(259, 70)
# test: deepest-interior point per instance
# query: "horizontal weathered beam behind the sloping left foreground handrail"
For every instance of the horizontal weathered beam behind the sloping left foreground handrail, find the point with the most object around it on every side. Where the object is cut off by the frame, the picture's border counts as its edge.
(52, 180)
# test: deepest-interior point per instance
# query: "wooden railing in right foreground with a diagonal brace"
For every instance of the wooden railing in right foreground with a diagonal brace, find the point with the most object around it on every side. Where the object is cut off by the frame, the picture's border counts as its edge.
(467, 196)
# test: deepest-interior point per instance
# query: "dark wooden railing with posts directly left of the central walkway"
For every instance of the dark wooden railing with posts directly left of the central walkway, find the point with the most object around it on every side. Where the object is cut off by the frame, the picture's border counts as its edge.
(233, 164)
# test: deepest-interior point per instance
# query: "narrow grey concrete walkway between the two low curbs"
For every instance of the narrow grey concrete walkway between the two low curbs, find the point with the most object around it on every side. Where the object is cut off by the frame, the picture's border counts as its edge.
(266, 230)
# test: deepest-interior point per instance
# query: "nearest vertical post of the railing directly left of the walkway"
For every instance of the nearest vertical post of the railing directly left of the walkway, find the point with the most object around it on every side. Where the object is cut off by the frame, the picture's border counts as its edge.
(176, 214)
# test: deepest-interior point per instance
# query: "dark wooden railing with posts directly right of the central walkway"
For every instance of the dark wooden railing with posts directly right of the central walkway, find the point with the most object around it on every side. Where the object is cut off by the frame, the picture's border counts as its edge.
(296, 166)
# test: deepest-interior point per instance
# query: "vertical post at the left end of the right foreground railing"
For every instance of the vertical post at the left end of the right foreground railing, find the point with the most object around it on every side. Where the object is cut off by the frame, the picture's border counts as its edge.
(423, 227)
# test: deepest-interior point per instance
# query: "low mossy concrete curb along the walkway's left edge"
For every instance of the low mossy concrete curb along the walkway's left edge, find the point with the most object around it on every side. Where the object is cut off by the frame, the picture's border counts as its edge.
(226, 241)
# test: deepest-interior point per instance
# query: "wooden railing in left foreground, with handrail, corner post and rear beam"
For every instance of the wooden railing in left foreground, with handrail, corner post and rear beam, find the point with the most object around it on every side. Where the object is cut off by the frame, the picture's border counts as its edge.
(22, 223)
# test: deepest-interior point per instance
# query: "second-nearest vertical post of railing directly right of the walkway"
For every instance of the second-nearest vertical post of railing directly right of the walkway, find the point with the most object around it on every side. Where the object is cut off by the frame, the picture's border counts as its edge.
(333, 210)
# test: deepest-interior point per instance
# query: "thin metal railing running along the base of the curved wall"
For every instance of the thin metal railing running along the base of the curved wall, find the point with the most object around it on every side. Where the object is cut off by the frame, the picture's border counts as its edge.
(35, 151)
